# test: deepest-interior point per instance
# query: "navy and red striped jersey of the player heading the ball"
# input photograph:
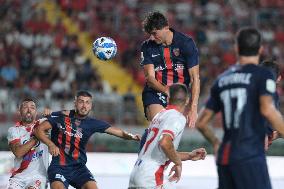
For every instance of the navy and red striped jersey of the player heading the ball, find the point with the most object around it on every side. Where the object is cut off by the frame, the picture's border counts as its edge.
(171, 63)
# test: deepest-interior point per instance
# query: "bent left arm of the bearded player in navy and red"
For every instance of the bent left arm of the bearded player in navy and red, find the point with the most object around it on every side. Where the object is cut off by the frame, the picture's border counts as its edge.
(40, 131)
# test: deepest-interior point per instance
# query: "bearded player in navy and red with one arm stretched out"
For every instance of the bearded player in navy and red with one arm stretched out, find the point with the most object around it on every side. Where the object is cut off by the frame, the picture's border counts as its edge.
(70, 132)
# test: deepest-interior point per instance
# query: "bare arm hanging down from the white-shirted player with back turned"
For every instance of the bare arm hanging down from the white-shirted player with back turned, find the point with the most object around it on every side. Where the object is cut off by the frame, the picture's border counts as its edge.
(167, 146)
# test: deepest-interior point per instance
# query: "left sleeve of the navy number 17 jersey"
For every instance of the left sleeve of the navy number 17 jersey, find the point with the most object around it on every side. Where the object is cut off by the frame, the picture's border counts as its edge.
(213, 102)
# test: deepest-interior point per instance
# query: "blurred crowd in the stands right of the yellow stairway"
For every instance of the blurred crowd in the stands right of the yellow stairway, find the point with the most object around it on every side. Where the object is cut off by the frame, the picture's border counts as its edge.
(212, 24)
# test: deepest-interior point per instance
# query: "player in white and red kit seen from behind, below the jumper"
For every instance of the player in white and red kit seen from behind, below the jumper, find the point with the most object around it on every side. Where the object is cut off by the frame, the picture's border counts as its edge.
(159, 150)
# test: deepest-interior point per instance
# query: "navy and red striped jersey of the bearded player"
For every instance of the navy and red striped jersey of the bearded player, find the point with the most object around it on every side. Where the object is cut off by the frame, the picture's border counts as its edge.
(71, 135)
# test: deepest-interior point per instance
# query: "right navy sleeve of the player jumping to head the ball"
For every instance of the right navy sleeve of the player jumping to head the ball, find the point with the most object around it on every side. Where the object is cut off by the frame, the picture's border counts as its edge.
(191, 53)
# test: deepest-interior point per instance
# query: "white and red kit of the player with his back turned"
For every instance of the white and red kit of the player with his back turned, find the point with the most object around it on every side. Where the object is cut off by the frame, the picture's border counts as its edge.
(148, 171)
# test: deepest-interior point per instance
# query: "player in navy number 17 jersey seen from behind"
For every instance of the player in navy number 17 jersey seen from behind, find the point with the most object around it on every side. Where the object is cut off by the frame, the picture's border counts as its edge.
(244, 94)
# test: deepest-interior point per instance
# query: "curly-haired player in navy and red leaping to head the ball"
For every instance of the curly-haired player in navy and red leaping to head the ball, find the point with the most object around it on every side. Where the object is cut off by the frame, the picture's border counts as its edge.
(168, 57)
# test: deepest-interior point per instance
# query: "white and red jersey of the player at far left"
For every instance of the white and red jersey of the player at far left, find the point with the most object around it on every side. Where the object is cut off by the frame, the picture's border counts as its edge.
(35, 162)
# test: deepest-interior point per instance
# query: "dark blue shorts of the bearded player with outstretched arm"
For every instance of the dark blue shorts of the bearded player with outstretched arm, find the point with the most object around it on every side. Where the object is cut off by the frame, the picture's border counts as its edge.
(76, 176)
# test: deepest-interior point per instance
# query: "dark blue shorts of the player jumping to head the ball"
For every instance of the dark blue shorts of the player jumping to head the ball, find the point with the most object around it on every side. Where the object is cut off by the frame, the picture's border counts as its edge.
(152, 97)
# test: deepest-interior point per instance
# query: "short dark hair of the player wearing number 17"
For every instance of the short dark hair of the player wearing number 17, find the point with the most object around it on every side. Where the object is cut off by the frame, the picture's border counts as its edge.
(248, 41)
